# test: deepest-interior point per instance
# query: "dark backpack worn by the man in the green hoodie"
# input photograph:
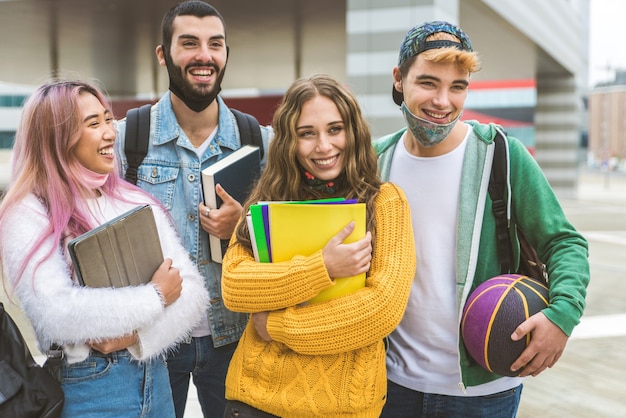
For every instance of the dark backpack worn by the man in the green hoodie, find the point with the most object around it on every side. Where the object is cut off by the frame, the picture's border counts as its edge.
(530, 264)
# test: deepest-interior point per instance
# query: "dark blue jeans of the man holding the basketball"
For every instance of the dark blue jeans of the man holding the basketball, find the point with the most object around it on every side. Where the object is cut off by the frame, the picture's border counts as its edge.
(406, 403)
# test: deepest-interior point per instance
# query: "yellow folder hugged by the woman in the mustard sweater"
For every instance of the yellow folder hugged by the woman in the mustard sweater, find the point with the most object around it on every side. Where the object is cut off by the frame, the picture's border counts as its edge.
(303, 229)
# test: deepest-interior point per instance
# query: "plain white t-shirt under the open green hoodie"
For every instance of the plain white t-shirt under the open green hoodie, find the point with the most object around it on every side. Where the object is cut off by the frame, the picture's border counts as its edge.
(423, 353)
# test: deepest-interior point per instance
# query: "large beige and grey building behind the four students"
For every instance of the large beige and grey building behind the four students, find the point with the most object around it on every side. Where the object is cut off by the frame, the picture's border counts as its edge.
(534, 56)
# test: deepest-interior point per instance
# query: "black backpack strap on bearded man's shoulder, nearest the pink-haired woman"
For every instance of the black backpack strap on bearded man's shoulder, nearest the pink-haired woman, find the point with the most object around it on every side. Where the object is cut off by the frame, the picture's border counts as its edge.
(136, 139)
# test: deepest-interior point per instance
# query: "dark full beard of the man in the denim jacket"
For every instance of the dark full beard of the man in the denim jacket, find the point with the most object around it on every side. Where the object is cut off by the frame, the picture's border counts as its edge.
(195, 98)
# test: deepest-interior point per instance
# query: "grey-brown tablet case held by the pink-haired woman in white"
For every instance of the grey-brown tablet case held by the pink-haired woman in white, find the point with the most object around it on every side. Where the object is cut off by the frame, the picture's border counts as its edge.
(124, 251)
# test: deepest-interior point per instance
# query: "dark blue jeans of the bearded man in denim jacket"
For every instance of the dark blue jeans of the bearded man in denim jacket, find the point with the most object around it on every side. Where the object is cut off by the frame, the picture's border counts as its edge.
(208, 366)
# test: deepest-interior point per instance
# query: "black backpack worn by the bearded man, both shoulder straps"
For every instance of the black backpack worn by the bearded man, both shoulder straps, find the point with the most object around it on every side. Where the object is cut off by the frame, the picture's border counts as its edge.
(138, 135)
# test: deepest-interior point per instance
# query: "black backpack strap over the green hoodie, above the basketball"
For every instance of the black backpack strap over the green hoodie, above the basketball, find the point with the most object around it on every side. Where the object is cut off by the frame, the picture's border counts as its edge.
(497, 188)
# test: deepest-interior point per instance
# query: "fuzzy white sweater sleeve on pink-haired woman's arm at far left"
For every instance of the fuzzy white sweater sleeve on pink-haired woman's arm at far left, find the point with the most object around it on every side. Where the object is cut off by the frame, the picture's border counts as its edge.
(60, 311)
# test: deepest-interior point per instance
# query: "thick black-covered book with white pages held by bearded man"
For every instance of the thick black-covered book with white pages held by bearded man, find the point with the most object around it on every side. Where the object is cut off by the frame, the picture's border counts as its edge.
(236, 173)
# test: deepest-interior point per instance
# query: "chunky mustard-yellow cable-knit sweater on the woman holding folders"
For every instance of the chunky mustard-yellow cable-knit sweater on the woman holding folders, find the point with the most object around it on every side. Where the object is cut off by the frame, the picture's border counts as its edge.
(327, 359)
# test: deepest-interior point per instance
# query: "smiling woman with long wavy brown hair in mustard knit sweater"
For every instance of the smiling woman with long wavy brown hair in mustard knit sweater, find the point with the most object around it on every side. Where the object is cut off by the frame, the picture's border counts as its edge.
(300, 359)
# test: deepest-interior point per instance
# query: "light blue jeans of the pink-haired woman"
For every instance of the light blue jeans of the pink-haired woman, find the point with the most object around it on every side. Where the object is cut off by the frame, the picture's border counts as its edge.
(116, 386)
